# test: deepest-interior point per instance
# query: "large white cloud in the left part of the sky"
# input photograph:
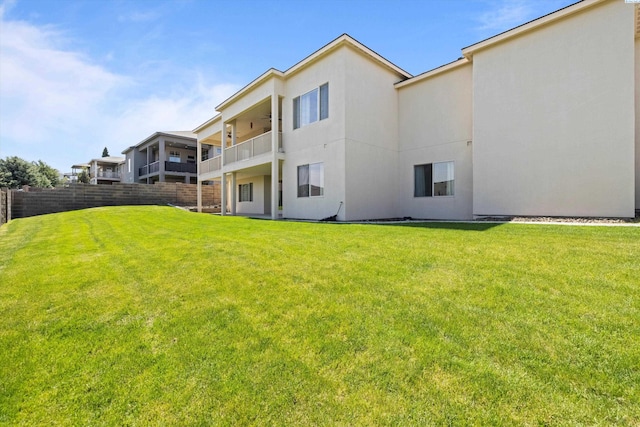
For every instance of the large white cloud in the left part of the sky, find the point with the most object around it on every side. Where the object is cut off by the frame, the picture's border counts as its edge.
(60, 106)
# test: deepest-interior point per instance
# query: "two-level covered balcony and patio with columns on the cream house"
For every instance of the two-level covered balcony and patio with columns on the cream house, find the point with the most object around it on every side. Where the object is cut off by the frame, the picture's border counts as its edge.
(242, 149)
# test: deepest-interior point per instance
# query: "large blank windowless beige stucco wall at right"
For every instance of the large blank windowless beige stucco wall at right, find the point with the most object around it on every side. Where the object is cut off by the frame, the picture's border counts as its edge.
(554, 119)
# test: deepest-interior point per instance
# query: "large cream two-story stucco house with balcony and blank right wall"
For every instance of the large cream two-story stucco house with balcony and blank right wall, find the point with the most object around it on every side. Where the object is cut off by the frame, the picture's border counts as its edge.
(539, 120)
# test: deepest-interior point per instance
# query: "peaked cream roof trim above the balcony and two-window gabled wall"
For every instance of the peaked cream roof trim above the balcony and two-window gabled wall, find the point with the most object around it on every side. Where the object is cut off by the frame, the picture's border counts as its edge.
(272, 72)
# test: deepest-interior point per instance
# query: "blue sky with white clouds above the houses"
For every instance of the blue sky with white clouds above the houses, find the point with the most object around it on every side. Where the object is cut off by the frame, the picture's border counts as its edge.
(79, 75)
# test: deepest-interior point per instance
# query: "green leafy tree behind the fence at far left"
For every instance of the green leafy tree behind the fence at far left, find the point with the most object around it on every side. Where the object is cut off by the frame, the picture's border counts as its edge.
(16, 172)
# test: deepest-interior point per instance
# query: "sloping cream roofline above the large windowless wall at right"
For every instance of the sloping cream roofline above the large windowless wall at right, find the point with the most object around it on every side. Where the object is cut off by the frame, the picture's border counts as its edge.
(529, 26)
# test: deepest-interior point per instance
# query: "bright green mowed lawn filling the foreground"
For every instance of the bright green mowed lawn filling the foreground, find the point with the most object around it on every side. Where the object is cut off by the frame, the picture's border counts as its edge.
(155, 316)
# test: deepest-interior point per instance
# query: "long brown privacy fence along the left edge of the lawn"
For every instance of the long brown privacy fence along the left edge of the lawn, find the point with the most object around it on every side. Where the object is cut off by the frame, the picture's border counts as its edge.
(32, 201)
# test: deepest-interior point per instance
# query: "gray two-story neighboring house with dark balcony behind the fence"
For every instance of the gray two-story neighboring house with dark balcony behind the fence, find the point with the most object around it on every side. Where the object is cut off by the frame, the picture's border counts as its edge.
(162, 157)
